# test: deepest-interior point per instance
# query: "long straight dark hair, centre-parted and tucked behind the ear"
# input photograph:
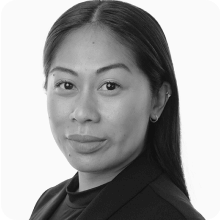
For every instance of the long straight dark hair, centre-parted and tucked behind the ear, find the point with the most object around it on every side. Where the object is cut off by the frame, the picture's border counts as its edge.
(141, 33)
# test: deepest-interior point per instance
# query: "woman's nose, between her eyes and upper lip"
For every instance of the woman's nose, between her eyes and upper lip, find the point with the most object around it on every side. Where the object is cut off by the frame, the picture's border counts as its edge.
(85, 109)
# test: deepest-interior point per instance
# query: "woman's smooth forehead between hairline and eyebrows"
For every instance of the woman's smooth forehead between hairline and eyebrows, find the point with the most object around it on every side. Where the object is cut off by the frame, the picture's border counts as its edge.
(92, 45)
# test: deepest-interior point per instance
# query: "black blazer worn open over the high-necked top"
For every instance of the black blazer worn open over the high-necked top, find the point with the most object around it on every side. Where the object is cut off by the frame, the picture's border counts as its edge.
(141, 191)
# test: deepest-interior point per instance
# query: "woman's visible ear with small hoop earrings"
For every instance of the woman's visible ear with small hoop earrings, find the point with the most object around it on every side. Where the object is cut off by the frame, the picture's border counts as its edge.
(159, 101)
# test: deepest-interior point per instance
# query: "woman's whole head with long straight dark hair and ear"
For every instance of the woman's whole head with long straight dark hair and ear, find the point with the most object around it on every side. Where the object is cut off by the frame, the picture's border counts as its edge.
(108, 68)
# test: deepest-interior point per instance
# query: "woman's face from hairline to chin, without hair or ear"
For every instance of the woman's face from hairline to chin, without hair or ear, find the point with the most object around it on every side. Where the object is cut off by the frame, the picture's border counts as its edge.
(96, 89)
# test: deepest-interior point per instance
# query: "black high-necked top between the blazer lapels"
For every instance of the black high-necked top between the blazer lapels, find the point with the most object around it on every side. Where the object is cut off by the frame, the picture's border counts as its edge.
(75, 202)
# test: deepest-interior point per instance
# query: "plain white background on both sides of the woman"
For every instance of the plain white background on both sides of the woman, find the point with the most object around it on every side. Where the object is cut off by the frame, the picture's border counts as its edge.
(31, 161)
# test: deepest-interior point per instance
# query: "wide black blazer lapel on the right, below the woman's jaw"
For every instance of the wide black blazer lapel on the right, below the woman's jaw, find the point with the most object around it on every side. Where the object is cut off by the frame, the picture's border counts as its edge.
(121, 189)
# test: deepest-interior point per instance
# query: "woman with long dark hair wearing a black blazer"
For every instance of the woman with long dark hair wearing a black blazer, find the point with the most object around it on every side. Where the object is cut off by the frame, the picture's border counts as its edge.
(114, 113)
